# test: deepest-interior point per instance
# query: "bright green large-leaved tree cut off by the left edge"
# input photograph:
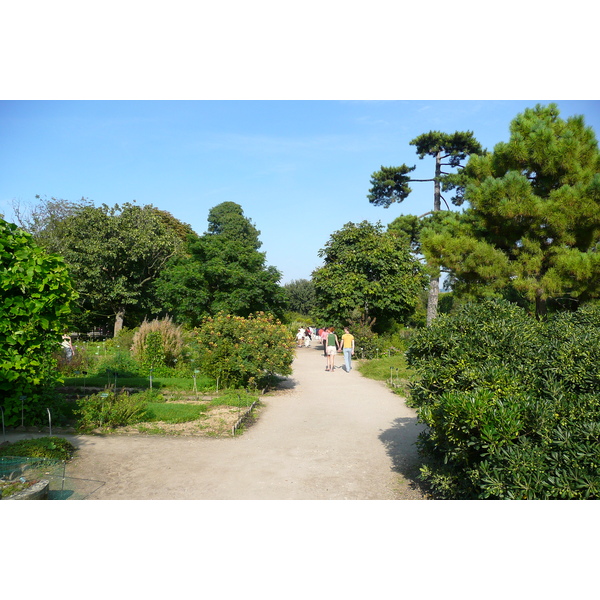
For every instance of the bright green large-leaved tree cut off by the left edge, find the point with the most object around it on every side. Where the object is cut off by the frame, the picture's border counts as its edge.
(36, 298)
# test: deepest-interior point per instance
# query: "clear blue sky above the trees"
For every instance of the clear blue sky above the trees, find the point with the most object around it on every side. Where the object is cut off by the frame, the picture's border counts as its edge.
(299, 169)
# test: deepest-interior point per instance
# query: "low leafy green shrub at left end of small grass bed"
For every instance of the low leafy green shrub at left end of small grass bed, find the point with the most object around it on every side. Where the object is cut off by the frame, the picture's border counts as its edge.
(110, 409)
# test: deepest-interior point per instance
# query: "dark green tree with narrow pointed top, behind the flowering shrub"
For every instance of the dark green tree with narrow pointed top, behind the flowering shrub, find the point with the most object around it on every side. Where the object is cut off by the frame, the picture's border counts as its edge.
(224, 272)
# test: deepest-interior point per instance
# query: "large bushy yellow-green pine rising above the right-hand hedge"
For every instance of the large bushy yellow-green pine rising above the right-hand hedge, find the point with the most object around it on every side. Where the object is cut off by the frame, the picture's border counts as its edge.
(533, 226)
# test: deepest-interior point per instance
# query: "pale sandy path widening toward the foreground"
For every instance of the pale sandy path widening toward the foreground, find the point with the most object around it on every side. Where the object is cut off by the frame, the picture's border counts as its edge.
(329, 436)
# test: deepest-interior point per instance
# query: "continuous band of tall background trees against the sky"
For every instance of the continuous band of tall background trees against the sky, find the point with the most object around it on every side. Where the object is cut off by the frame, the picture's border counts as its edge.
(528, 231)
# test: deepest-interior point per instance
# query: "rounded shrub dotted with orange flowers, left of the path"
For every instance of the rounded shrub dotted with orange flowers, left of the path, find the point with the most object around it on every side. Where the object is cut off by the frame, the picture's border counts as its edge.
(242, 351)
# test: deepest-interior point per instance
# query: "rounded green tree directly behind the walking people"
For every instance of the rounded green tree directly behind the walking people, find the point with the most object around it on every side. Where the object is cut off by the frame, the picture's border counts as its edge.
(369, 276)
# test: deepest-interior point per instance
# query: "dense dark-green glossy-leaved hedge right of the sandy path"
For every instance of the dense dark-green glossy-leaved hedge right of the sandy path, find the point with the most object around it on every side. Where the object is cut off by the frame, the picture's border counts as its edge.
(512, 403)
